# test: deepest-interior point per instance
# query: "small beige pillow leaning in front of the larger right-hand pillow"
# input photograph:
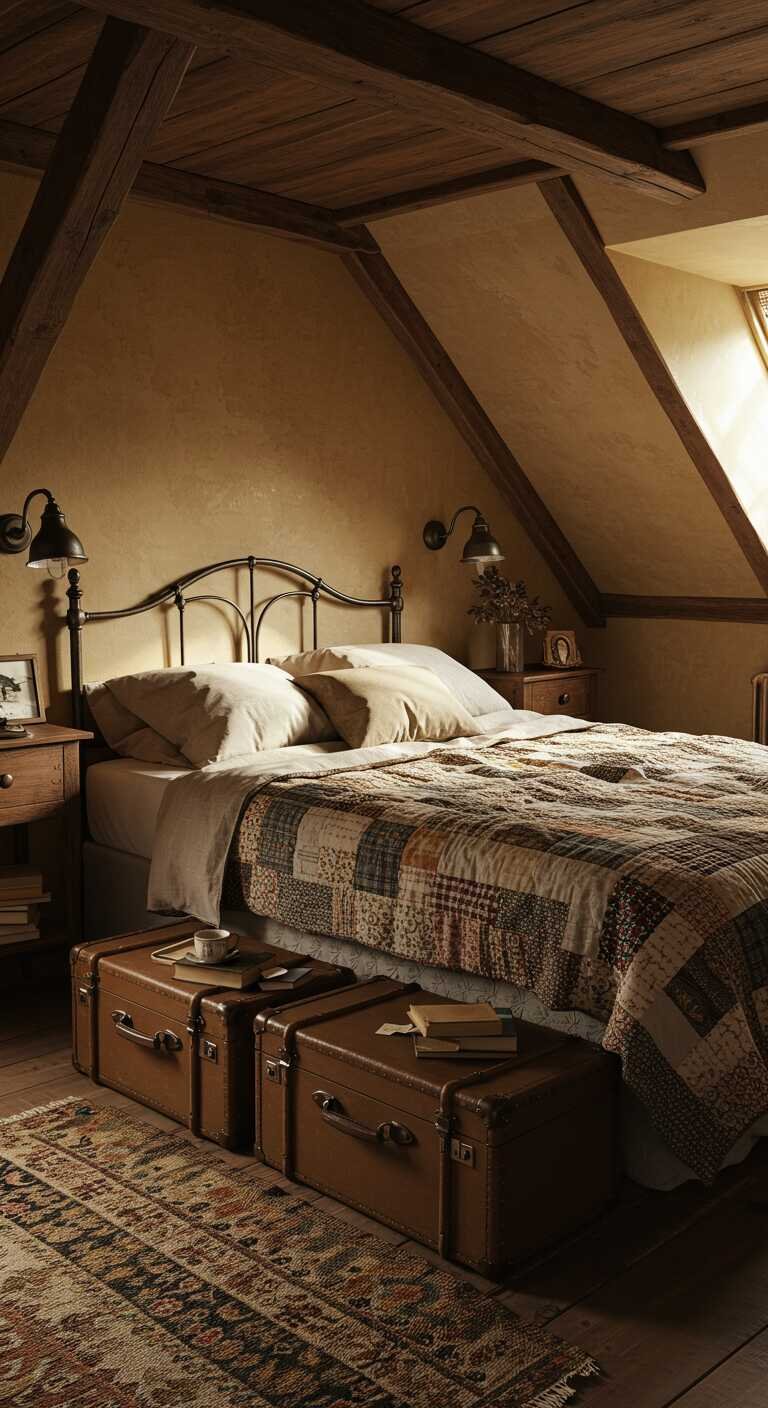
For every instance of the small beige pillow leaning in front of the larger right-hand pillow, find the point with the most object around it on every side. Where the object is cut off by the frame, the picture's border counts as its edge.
(376, 705)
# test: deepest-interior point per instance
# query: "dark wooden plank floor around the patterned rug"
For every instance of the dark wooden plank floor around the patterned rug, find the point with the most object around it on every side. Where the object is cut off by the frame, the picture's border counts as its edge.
(669, 1292)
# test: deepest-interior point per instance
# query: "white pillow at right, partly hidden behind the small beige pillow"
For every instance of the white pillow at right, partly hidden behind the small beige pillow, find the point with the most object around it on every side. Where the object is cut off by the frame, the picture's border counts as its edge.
(469, 688)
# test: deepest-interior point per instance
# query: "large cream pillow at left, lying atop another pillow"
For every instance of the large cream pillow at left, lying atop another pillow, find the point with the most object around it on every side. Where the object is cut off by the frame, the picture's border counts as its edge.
(223, 710)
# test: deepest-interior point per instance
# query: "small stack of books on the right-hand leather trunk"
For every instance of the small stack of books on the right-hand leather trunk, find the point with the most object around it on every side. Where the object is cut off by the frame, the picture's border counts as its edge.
(464, 1031)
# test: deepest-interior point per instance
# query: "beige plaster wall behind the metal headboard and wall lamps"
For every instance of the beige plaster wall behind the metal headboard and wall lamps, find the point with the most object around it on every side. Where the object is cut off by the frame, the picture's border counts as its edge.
(218, 394)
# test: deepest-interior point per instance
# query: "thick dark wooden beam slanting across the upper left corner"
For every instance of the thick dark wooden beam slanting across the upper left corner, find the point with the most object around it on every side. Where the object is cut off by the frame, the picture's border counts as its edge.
(126, 92)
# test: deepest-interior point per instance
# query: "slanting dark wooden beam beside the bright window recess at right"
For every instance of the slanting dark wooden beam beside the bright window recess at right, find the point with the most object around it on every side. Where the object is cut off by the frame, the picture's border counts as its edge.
(584, 236)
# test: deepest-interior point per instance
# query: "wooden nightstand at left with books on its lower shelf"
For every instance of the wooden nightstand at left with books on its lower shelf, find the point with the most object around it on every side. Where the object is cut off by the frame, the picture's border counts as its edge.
(40, 778)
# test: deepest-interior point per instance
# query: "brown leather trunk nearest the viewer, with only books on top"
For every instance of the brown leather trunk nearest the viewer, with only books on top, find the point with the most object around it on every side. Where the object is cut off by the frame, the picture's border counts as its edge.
(485, 1164)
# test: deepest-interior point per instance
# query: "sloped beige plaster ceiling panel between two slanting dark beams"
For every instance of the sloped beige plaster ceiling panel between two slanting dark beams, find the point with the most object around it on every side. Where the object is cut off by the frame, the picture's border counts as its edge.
(511, 302)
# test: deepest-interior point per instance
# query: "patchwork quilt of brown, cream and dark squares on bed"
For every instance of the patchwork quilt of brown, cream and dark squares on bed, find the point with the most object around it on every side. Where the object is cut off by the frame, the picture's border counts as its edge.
(614, 871)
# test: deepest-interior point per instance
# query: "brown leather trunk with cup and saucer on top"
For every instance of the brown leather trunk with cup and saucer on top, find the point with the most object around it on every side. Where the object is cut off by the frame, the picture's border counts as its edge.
(182, 1048)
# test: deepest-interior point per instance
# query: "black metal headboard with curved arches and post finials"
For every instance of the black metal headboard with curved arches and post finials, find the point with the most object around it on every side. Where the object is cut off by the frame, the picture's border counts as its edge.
(314, 588)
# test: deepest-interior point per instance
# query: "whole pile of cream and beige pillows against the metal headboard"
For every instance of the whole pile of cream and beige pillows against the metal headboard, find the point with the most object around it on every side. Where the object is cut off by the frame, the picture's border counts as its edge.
(363, 695)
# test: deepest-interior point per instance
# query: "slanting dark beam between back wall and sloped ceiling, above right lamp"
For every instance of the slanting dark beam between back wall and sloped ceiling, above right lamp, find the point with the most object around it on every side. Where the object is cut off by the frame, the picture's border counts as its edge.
(381, 285)
